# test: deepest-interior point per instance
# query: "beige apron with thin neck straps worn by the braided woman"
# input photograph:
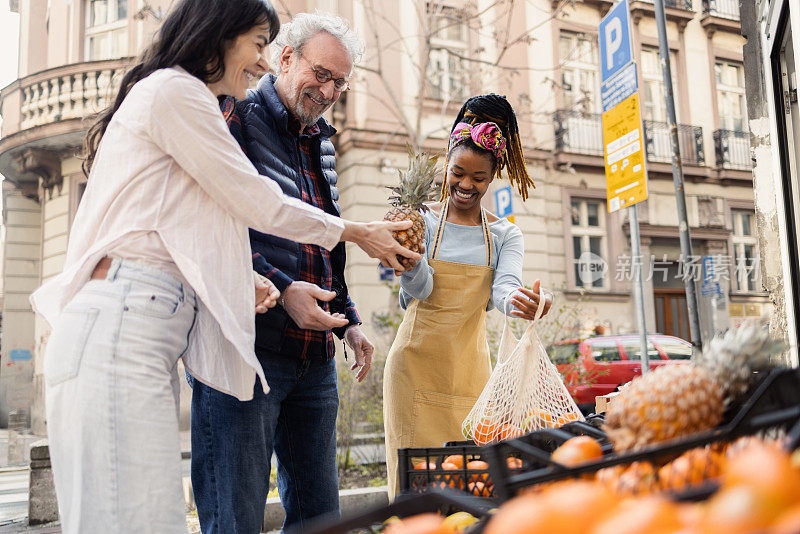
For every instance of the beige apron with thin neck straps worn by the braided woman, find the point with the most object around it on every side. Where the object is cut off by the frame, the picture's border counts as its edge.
(439, 361)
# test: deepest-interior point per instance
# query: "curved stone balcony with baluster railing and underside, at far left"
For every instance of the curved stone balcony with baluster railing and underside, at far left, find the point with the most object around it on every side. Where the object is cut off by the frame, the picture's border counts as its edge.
(43, 115)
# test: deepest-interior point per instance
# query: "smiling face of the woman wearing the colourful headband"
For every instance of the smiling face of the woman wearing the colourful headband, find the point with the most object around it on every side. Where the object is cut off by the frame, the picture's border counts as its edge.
(469, 173)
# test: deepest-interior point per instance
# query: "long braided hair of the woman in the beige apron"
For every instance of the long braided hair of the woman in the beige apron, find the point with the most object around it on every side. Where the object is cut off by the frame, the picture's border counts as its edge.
(495, 108)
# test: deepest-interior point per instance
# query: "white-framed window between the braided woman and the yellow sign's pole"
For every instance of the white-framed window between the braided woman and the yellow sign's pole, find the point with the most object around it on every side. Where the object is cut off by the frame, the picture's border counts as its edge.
(588, 231)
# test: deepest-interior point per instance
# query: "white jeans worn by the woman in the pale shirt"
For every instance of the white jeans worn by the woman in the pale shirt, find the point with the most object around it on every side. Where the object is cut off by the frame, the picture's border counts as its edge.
(112, 402)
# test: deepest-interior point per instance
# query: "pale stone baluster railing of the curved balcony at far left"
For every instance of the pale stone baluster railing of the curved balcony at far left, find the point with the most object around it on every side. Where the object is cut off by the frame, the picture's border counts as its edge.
(68, 92)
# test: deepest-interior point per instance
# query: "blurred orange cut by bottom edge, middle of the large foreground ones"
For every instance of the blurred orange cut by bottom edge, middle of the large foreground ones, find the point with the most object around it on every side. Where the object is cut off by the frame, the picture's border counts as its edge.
(644, 515)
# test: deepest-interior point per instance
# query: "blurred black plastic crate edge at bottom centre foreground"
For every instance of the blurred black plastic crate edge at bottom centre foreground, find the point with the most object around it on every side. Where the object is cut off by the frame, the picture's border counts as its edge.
(444, 502)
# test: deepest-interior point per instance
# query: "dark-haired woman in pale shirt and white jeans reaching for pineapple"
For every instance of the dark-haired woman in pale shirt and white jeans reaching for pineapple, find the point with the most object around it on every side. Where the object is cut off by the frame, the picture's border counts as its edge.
(159, 268)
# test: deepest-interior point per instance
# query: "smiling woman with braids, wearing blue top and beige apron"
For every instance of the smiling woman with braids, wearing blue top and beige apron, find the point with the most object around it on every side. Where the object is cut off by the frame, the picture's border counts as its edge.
(439, 361)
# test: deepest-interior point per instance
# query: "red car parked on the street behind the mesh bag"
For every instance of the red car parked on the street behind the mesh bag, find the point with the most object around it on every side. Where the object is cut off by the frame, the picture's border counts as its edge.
(598, 365)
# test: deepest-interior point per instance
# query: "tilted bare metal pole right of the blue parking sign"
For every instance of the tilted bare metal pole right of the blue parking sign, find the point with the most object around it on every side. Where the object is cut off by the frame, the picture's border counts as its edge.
(677, 175)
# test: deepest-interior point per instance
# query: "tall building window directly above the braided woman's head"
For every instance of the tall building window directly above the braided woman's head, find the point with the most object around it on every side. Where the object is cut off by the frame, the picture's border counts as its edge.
(447, 72)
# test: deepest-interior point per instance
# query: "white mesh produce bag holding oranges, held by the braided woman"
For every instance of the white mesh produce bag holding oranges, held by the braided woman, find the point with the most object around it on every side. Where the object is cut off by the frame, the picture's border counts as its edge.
(524, 393)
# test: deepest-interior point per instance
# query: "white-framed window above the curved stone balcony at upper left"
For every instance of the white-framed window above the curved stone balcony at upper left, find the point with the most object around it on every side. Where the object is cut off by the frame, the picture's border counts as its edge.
(106, 29)
